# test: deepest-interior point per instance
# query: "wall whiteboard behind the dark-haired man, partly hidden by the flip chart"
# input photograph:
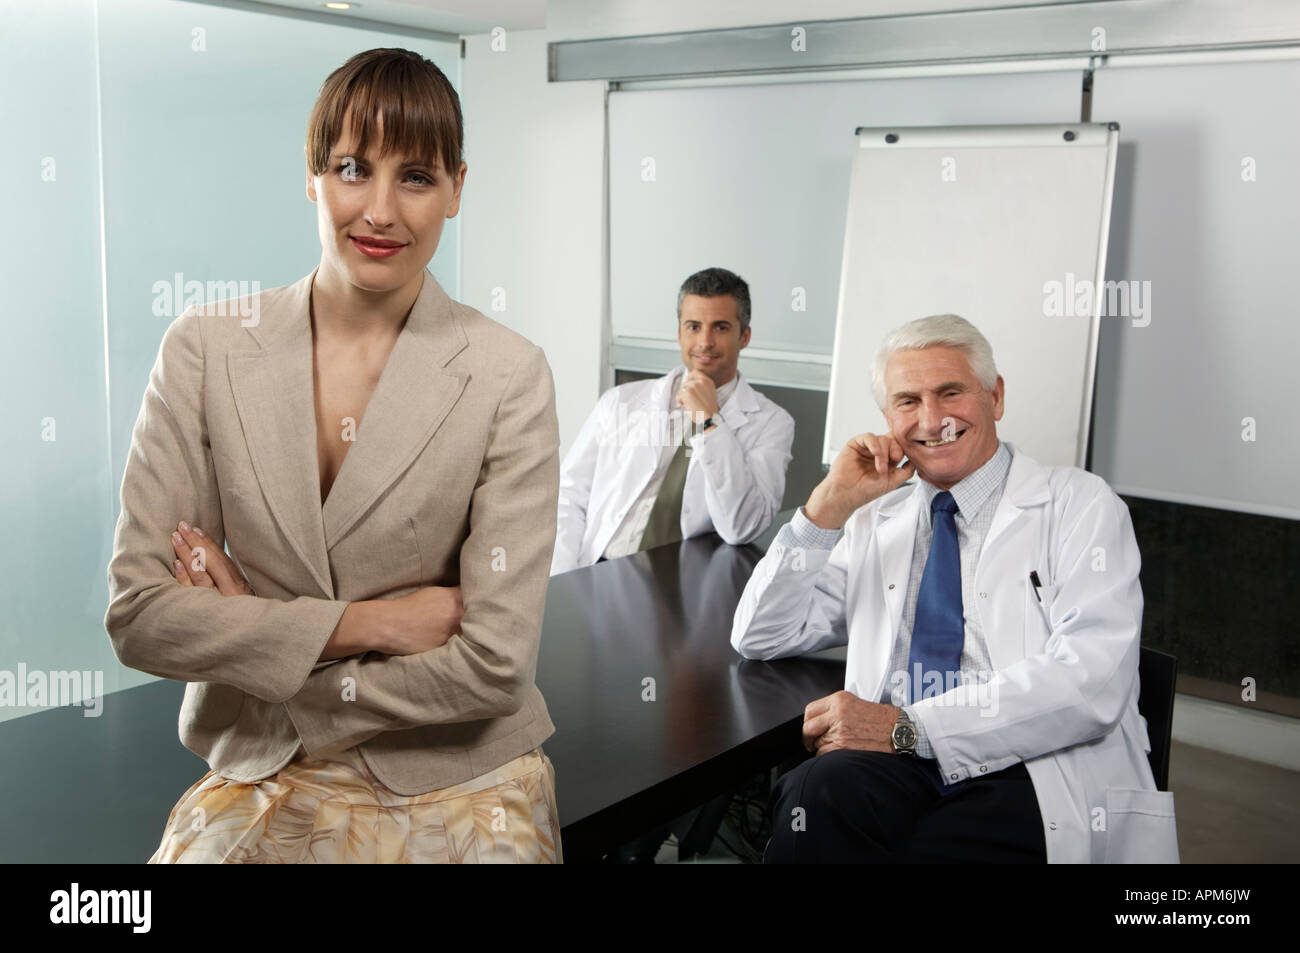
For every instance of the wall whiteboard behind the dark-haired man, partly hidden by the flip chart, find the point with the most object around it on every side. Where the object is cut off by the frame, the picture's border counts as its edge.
(756, 179)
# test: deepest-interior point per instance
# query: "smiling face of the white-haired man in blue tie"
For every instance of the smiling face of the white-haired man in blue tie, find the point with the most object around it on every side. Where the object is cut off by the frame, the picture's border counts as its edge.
(941, 415)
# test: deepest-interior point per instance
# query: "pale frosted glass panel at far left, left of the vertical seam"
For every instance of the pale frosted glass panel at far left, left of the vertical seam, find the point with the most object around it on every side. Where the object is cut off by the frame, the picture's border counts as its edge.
(57, 493)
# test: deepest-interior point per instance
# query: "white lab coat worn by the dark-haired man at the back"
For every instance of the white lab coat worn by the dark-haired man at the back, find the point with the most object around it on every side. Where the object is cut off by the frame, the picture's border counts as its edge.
(735, 479)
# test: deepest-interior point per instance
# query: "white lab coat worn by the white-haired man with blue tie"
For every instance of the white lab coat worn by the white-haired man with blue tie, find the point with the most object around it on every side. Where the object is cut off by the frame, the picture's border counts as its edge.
(1064, 694)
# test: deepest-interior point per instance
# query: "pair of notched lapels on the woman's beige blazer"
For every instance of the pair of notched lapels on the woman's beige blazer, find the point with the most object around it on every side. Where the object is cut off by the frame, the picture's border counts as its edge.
(275, 396)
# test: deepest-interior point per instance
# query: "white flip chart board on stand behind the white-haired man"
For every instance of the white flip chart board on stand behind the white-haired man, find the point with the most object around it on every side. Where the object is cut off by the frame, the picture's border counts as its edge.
(1004, 226)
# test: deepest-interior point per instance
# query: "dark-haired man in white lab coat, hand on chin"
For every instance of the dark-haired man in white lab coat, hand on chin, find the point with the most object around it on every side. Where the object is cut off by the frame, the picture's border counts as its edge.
(694, 452)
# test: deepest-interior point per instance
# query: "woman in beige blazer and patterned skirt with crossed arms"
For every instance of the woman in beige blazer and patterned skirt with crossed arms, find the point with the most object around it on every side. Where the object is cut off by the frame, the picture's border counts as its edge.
(383, 463)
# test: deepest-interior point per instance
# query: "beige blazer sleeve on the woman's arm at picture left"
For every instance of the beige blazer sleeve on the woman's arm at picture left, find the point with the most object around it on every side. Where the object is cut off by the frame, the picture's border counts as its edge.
(261, 646)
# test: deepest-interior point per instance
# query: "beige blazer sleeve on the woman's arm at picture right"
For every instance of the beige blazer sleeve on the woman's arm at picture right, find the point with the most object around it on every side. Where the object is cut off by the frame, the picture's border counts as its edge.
(488, 669)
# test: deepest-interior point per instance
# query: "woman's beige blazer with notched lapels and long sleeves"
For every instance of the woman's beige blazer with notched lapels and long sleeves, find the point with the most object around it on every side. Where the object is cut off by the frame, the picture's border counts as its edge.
(453, 480)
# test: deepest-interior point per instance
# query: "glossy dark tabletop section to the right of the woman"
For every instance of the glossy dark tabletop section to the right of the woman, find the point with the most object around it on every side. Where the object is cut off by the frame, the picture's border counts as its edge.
(625, 763)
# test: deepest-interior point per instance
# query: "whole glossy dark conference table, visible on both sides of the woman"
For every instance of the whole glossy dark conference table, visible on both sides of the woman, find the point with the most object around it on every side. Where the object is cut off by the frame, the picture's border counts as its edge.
(655, 714)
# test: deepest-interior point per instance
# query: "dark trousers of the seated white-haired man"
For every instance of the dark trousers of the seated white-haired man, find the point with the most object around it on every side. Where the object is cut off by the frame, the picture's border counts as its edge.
(876, 808)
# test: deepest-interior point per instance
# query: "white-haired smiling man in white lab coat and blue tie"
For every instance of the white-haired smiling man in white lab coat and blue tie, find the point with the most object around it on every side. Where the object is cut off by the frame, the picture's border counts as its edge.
(993, 613)
